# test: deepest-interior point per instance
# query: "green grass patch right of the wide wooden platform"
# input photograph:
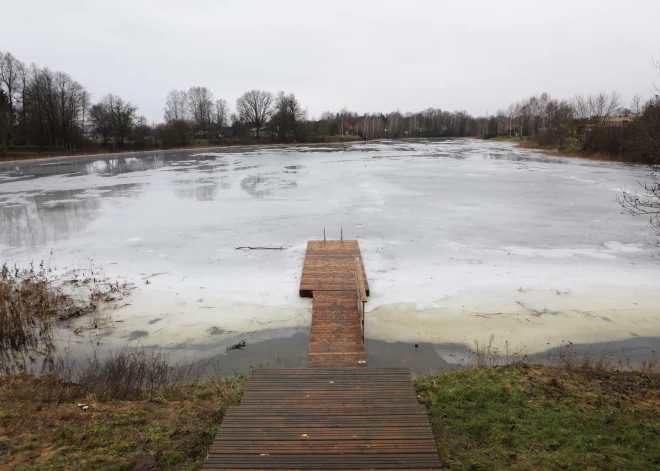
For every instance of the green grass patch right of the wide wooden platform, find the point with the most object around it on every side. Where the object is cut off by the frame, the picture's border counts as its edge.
(523, 417)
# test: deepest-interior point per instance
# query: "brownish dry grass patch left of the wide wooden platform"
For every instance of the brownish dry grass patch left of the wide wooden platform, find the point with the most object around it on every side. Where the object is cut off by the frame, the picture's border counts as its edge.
(173, 430)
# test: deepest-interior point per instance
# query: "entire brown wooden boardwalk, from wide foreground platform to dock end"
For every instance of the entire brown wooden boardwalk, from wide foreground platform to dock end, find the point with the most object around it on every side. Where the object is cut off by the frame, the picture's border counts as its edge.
(334, 414)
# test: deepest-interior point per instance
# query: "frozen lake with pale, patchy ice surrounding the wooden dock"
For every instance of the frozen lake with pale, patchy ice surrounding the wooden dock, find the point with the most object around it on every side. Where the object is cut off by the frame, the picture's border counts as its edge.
(461, 239)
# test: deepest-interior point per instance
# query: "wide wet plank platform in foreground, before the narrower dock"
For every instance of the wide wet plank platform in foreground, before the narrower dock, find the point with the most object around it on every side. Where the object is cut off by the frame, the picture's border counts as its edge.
(326, 418)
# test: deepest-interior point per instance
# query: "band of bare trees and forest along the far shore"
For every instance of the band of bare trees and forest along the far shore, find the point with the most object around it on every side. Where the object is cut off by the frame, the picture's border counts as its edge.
(44, 108)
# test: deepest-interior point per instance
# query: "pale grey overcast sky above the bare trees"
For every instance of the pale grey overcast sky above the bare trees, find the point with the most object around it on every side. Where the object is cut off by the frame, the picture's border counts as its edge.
(366, 55)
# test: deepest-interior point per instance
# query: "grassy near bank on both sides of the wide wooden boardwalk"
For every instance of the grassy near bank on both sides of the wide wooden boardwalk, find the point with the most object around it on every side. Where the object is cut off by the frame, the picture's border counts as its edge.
(507, 417)
